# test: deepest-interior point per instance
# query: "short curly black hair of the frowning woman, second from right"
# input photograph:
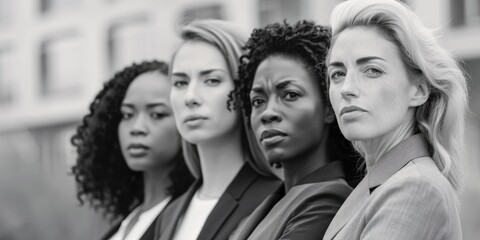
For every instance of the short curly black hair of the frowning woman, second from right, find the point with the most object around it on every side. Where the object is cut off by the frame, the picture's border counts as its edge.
(307, 43)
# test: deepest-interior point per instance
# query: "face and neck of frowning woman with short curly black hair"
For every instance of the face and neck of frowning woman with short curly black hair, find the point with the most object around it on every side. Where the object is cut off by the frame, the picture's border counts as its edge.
(286, 105)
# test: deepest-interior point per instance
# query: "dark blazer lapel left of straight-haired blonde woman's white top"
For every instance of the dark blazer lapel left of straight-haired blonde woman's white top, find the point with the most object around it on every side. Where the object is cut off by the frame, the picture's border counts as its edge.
(170, 220)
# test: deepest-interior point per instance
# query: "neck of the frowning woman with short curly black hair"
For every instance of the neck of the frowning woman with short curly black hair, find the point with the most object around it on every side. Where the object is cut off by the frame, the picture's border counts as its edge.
(300, 166)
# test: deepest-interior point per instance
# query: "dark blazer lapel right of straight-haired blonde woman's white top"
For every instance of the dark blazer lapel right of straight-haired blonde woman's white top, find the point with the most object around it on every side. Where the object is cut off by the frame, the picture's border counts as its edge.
(227, 202)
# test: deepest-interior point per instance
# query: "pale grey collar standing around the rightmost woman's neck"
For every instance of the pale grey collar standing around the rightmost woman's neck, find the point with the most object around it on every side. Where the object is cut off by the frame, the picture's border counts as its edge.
(413, 147)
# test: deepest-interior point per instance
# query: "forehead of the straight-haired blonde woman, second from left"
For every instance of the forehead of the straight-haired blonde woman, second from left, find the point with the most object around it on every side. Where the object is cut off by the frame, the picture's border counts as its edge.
(197, 55)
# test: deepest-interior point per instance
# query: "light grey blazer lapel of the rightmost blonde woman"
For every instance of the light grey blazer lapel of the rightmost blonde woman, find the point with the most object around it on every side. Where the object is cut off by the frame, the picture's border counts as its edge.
(356, 199)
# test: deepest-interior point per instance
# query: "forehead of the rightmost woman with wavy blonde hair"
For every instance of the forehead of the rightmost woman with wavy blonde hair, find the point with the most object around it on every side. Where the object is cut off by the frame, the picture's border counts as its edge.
(361, 41)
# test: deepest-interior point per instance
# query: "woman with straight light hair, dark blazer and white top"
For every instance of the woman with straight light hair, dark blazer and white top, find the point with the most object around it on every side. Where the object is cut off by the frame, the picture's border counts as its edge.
(232, 176)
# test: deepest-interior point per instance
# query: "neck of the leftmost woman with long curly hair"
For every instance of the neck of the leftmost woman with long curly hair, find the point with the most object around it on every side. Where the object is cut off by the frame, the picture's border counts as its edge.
(155, 189)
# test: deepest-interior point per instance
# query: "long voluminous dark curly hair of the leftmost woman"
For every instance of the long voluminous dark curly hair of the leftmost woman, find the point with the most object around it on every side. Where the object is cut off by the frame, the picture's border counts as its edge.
(102, 175)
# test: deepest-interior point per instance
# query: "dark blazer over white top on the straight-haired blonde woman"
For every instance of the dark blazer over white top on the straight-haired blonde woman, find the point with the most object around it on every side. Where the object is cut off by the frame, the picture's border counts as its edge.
(247, 190)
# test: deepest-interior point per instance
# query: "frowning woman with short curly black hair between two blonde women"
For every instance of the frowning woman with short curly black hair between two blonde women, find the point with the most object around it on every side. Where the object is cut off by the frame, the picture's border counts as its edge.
(283, 93)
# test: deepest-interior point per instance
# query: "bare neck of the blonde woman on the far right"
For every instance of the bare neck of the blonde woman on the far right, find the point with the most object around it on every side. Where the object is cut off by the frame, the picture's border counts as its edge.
(374, 149)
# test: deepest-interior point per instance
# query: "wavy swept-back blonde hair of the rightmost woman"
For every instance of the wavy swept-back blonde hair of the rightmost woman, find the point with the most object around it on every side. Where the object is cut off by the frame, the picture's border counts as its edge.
(441, 119)
